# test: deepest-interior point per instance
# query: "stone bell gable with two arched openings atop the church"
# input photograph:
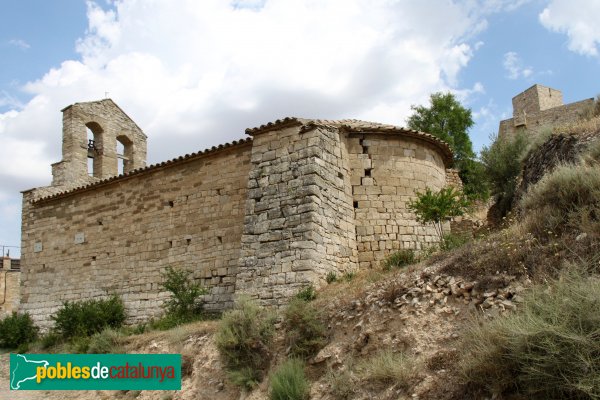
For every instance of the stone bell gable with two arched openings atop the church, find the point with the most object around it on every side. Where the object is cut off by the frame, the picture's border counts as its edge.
(99, 141)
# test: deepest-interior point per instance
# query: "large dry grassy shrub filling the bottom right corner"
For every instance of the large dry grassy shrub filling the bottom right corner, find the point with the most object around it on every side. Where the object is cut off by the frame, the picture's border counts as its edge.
(548, 350)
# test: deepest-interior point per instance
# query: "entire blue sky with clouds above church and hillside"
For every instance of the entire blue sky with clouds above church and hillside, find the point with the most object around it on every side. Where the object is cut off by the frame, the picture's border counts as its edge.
(195, 74)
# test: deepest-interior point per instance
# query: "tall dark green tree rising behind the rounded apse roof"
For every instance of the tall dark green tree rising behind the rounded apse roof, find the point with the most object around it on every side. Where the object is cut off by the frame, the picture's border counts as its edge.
(448, 120)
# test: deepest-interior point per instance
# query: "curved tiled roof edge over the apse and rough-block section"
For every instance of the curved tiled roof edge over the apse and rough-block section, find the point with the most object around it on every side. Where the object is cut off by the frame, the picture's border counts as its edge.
(356, 126)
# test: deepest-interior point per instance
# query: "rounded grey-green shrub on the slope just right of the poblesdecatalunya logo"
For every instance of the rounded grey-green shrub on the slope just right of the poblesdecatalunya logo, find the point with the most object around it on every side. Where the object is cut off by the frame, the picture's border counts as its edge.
(244, 338)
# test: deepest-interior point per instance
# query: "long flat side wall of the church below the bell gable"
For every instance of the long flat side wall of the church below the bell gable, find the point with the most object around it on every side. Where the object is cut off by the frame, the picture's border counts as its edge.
(119, 235)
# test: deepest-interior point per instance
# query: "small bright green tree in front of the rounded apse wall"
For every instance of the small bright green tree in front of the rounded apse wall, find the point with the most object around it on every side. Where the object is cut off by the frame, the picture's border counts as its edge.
(435, 208)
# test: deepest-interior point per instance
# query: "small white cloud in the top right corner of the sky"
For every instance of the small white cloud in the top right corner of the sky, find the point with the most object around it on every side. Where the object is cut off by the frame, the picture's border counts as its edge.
(578, 19)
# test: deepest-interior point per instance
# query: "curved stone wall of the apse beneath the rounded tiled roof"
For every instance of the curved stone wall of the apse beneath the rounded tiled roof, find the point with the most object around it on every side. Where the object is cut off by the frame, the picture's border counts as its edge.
(386, 171)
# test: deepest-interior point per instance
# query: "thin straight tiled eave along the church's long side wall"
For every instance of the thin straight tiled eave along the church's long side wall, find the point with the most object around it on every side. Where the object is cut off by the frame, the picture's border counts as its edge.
(147, 169)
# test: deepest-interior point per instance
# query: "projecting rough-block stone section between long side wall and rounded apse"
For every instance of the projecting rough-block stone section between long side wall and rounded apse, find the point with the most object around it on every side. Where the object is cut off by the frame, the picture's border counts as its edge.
(299, 217)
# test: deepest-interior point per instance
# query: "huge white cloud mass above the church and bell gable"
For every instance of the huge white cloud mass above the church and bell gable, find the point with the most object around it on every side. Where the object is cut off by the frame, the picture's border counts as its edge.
(194, 74)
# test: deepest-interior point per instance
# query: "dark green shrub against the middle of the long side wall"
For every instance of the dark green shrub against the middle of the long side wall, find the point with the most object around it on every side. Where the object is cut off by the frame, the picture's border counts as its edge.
(184, 293)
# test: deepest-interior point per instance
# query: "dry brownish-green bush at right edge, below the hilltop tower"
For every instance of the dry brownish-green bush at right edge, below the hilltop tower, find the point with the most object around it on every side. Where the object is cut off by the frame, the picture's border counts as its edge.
(566, 199)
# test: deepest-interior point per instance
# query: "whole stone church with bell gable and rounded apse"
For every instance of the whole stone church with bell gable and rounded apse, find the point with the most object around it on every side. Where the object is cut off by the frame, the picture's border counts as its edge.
(264, 215)
